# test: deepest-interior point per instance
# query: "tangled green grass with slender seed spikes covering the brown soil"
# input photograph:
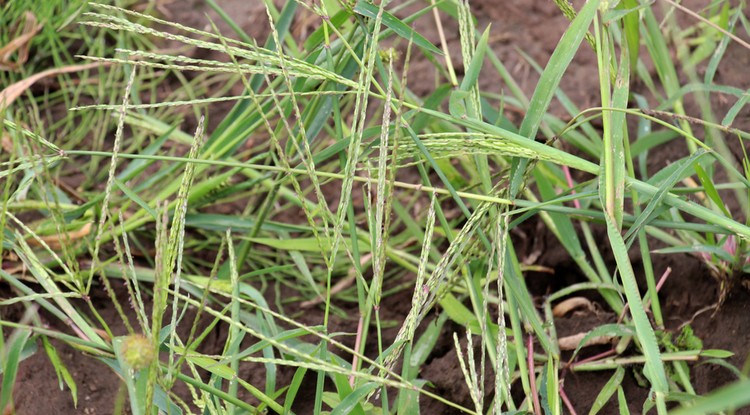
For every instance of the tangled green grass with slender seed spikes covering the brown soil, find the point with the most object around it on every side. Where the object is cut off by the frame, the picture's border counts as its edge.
(355, 189)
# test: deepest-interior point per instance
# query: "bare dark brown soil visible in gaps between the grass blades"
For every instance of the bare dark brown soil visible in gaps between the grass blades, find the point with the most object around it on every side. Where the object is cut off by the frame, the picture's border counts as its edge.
(533, 26)
